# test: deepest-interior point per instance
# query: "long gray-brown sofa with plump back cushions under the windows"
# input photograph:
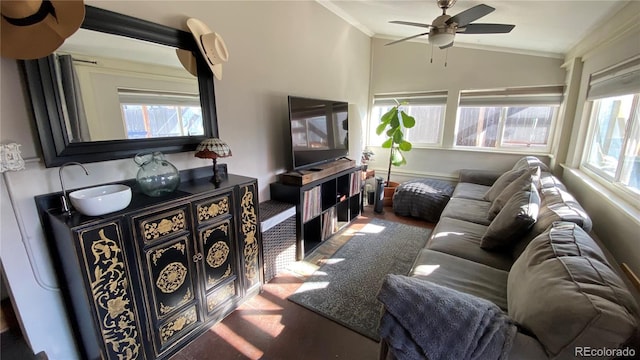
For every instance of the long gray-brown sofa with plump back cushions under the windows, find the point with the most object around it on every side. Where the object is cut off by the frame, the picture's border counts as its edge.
(520, 240)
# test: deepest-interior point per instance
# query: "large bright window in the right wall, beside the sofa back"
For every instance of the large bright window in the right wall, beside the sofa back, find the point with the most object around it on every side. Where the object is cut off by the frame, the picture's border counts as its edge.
(612, 150)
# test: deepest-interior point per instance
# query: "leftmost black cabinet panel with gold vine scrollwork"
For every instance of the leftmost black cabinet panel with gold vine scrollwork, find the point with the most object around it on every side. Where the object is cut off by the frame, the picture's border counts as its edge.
(109, 289)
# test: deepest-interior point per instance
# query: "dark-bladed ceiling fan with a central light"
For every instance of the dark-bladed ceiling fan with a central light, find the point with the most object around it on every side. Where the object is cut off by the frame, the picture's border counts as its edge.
(443, 29)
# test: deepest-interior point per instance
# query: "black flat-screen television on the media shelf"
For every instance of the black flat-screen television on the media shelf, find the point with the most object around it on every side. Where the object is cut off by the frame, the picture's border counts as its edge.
(319, 131)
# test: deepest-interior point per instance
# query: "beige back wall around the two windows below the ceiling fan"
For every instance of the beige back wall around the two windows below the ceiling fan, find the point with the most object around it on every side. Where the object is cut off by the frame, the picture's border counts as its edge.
(406, 67)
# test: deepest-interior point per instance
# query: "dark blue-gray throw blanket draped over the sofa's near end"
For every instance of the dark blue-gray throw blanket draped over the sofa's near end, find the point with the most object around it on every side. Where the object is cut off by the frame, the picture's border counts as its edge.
(423, 320)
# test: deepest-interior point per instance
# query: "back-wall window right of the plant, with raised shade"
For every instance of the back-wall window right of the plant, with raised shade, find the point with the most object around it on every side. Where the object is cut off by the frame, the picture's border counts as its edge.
(512, 118)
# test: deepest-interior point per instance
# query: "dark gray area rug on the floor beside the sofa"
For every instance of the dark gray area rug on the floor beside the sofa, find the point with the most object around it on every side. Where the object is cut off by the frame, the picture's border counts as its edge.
(344, 289)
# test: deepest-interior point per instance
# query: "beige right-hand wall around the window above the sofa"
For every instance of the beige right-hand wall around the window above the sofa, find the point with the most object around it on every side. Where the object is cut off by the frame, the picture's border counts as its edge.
(616, 224)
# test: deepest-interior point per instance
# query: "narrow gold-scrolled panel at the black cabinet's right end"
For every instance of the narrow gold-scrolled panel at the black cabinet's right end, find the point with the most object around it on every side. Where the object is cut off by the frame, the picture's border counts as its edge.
(250, 239)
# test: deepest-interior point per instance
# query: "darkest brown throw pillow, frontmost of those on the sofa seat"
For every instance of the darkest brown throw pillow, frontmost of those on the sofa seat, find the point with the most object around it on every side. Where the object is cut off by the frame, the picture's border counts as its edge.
(517, 216)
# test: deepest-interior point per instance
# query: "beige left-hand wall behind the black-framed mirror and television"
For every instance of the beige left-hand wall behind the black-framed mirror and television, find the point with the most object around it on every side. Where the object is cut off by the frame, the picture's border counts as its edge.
(276, 48)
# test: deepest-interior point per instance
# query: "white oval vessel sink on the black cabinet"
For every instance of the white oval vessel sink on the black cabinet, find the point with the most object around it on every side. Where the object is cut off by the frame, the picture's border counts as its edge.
(101, 200)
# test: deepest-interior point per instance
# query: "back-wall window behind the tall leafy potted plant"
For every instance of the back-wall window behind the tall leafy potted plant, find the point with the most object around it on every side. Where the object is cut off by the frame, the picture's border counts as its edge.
(427, 108)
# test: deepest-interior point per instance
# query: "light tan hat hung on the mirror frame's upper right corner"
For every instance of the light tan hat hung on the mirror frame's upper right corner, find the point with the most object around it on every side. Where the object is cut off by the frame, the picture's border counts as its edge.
(211, 45)
